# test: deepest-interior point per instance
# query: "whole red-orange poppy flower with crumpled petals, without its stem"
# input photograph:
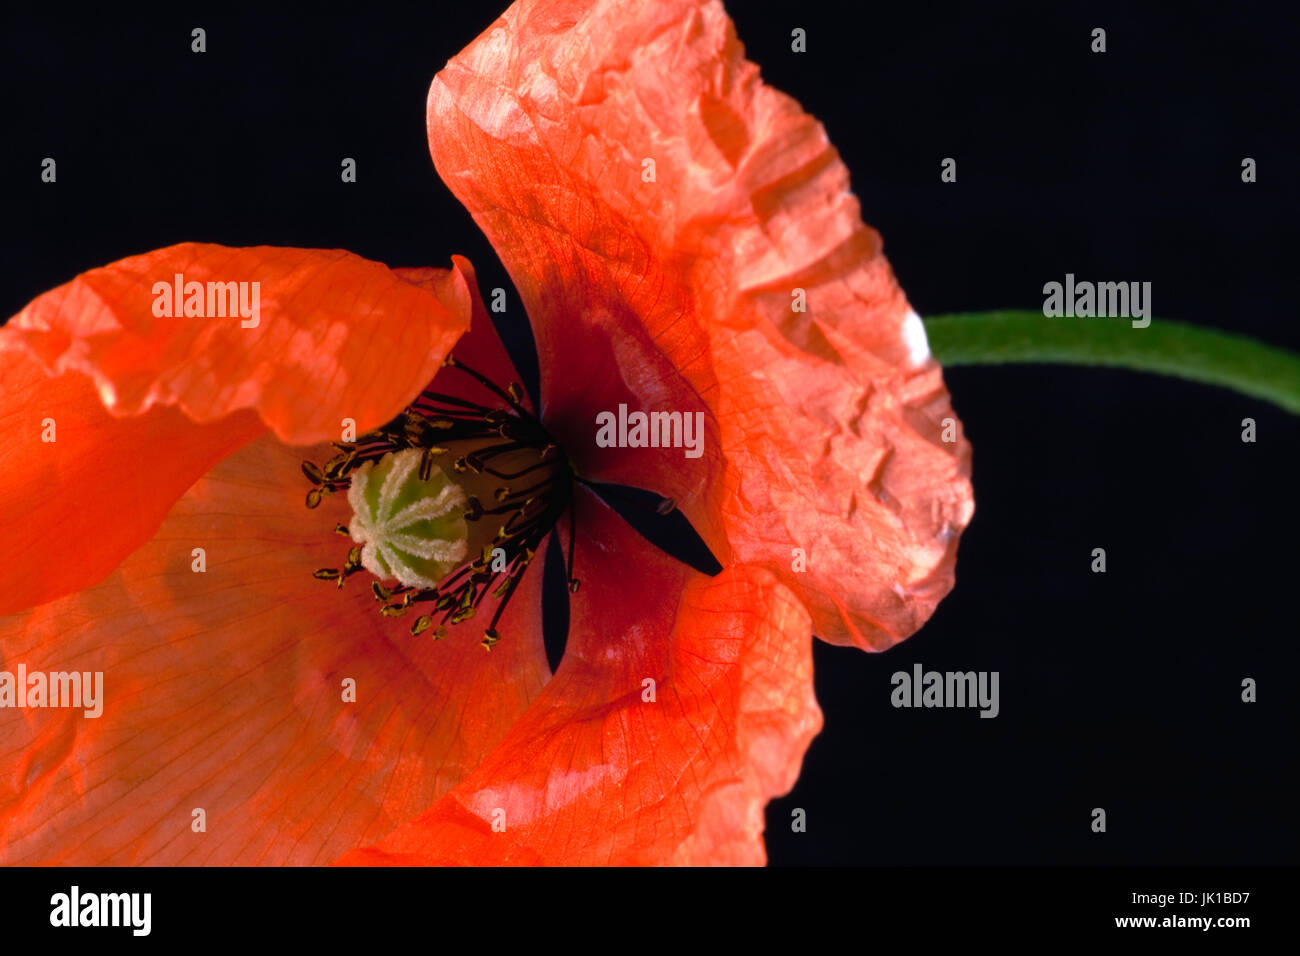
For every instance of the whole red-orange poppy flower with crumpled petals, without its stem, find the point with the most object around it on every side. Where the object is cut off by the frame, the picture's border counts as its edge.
(662, 214)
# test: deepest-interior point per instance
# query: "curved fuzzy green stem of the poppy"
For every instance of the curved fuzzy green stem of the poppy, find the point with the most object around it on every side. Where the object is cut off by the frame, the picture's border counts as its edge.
(1167, 348)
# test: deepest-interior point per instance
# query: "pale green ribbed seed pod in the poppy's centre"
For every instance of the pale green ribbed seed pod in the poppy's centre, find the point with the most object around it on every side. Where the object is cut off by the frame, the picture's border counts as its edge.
(409, 529)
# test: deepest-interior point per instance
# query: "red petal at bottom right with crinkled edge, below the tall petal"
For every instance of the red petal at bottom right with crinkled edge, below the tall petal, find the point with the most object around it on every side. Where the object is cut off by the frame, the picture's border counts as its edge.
(608, 768)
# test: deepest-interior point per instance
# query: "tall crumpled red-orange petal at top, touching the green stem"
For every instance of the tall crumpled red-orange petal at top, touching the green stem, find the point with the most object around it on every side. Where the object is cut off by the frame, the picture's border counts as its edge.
(627, 162)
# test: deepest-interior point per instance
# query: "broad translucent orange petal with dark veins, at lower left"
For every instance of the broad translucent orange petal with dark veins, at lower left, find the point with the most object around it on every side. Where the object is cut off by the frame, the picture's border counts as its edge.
(224, 691)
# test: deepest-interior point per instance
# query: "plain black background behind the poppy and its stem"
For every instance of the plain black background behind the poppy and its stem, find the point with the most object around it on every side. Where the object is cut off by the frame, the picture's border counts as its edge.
(1120, 690)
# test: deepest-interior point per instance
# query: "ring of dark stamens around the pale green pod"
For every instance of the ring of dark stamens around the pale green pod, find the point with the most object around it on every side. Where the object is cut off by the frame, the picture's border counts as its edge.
(525, 486)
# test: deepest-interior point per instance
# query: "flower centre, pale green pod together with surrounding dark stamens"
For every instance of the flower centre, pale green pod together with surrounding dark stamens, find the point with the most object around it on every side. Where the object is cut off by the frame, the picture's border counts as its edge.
(398, 479)
